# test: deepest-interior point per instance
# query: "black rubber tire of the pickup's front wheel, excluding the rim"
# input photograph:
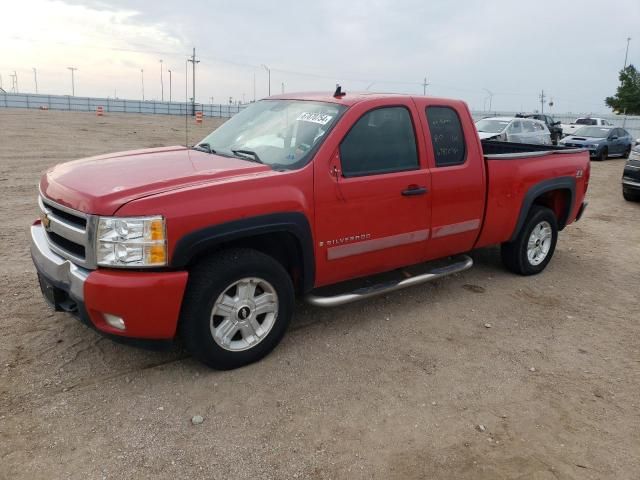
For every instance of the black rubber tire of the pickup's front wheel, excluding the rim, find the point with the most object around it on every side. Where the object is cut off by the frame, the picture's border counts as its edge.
(208, 281)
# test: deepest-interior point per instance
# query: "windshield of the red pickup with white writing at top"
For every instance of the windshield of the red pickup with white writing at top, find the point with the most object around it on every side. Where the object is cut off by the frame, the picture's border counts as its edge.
(280, 133)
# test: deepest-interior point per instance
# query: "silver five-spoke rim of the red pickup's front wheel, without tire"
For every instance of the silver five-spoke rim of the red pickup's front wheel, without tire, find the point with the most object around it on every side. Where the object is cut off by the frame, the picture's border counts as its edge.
(244, 314)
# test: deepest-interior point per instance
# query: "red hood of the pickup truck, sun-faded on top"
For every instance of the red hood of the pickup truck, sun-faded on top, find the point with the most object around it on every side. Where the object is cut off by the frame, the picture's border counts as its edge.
(102, 184)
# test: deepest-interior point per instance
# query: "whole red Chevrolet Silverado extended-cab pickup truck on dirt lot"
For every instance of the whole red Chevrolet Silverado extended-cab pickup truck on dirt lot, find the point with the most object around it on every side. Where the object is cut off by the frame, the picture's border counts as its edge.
(298, 195)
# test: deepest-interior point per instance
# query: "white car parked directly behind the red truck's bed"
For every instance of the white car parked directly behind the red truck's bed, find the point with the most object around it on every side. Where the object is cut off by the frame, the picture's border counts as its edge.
(517, 130)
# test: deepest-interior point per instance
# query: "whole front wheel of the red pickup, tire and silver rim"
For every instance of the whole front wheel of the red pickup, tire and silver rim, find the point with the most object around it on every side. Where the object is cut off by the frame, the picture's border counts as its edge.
(236, 309)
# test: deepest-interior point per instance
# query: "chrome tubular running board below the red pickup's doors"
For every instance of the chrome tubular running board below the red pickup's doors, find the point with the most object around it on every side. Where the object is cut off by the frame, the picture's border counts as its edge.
(461, 264)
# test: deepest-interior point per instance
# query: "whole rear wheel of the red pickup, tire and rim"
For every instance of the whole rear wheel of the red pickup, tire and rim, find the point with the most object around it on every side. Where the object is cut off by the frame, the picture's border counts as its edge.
(533, 248)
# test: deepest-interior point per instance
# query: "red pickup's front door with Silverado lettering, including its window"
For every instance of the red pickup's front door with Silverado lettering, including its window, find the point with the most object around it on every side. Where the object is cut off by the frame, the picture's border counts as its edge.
(372, 195)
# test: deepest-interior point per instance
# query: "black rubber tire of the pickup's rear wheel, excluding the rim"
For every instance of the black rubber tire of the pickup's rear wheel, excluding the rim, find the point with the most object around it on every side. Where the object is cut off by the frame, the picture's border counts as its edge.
(514, 254)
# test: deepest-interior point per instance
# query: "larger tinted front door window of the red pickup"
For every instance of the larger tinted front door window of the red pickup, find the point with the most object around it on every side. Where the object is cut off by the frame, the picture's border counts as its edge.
(381, 141)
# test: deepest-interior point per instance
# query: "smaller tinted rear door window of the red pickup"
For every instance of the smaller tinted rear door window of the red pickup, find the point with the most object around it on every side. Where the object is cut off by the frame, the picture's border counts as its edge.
(447, 137)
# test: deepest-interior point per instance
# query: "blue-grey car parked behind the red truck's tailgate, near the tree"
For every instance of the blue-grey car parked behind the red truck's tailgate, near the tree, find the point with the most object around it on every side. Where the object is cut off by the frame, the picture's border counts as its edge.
(602, 142)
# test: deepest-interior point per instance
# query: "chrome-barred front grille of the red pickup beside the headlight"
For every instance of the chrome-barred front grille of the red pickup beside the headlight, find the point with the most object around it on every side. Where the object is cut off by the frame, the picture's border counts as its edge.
(69, 232)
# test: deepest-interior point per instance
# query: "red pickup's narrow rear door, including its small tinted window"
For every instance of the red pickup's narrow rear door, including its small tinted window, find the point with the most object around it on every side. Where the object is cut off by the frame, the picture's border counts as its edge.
(458, 178)
